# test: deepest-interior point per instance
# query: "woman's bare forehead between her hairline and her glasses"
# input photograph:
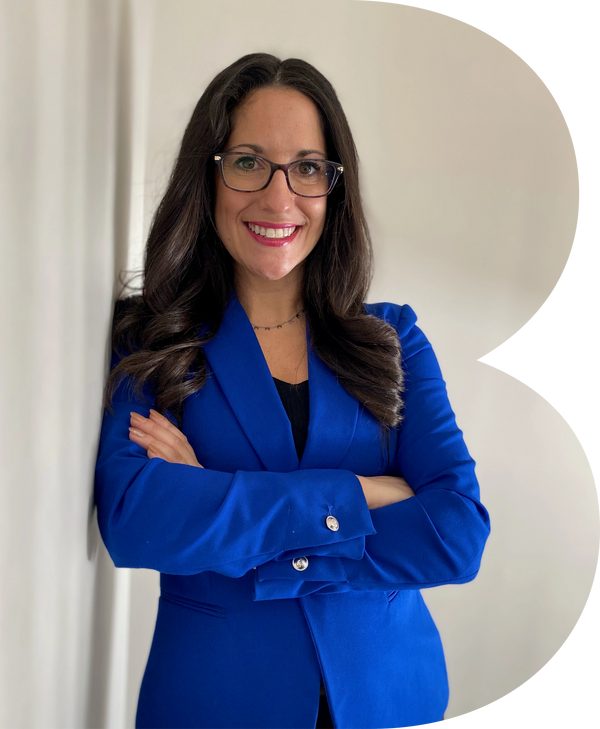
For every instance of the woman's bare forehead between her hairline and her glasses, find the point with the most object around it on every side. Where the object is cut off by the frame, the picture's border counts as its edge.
(277, 118)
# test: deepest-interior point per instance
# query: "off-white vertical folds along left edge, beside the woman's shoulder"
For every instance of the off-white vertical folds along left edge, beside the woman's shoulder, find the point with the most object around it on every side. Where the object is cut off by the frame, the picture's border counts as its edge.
(73, 87)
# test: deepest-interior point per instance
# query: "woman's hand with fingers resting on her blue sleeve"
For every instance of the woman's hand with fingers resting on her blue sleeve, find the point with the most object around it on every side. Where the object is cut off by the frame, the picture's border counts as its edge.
(161, 439)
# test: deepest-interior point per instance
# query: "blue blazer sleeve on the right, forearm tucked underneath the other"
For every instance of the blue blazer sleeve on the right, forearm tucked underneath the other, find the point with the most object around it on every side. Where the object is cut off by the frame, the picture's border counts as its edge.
(436, 537)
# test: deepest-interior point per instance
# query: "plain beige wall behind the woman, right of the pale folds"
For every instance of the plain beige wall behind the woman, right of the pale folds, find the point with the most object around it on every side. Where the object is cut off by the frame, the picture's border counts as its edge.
(472, 186)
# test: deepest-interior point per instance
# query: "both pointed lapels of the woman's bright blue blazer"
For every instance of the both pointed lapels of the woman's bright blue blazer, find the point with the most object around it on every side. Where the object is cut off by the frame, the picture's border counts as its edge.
(242, 372)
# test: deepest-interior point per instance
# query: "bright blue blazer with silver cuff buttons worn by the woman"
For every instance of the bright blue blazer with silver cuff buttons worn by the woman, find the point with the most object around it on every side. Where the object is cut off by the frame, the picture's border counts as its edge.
(260, 596)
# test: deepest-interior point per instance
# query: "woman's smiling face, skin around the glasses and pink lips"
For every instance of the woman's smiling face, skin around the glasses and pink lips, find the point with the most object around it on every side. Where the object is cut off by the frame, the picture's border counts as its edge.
(282, 122)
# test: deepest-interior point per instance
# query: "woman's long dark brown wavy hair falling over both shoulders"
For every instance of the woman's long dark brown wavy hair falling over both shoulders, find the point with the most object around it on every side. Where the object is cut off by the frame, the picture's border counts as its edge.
(189, 275)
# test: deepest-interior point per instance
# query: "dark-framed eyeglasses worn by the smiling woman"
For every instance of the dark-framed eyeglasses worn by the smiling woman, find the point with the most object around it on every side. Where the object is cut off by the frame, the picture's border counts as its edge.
(246, 172)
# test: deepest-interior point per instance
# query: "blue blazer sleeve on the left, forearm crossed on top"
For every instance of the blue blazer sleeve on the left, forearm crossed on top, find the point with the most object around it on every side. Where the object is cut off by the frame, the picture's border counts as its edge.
(182, 520)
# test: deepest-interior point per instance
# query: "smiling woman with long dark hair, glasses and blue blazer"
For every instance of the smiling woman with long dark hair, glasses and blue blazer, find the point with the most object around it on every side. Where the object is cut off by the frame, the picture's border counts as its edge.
(290, 544)
